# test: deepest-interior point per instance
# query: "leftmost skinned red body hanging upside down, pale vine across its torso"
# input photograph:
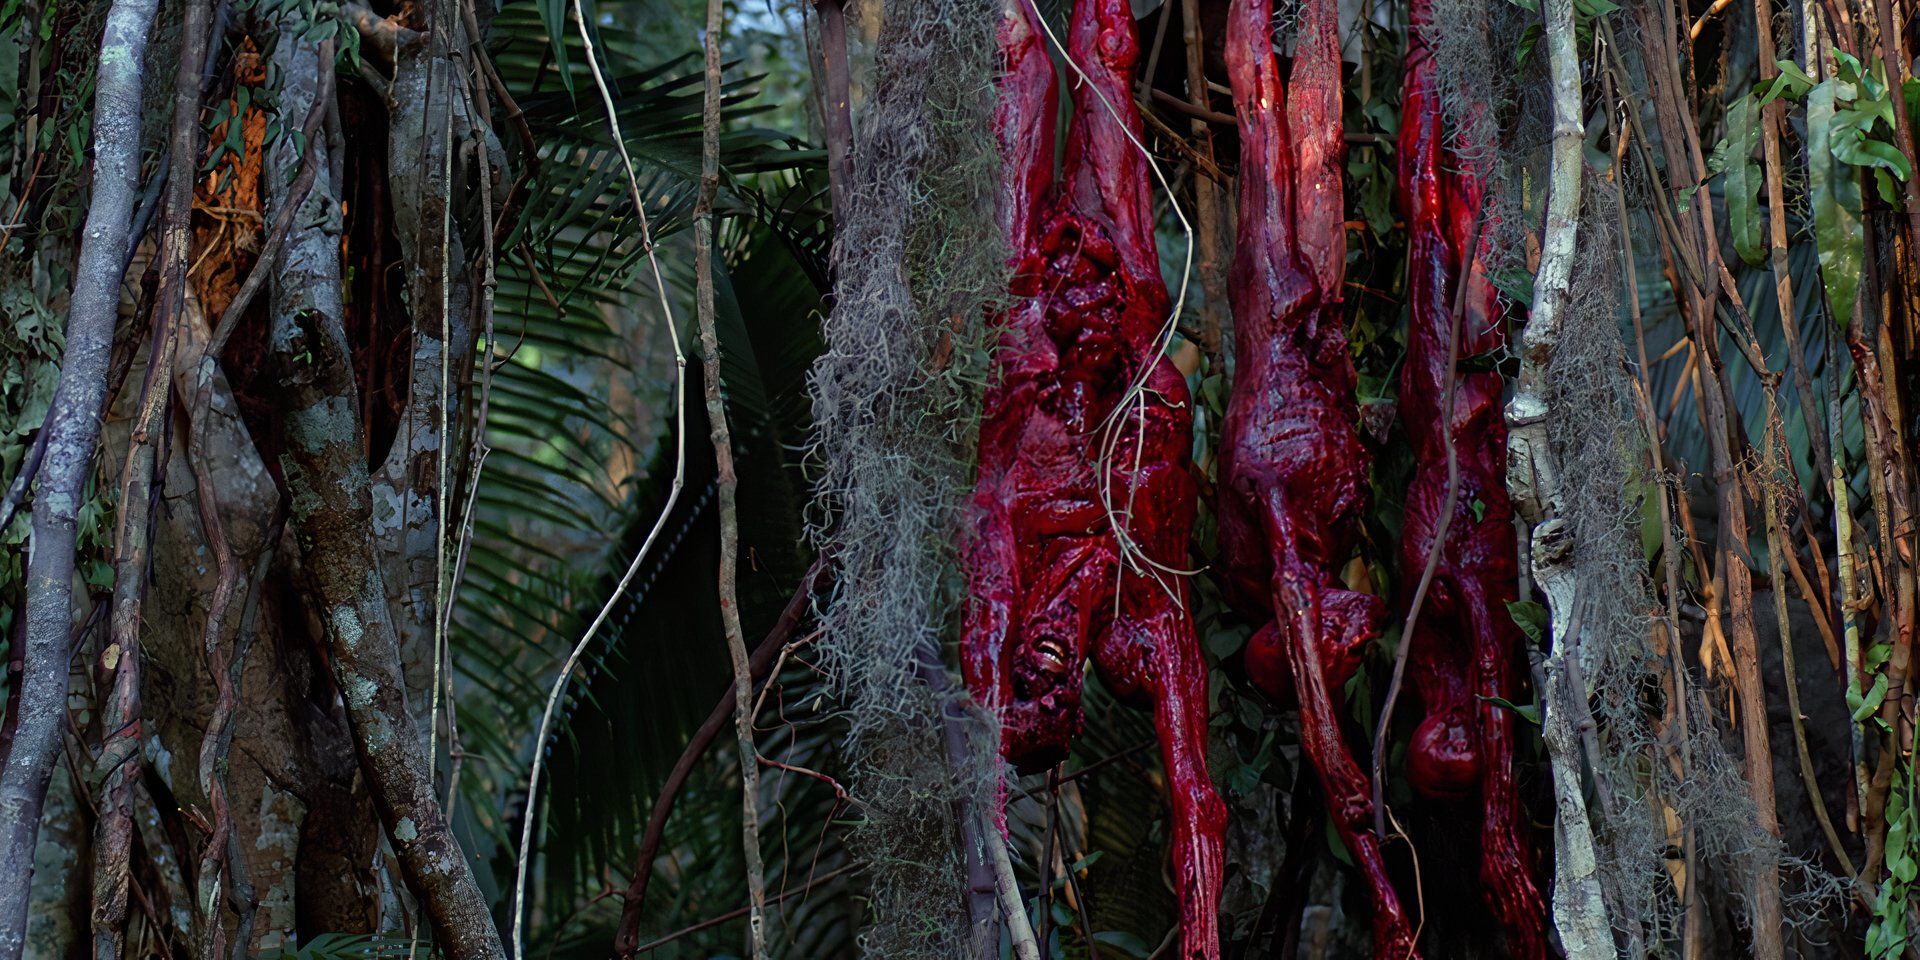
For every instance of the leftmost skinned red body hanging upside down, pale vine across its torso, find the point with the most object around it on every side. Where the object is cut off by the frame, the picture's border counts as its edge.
(1049, 579)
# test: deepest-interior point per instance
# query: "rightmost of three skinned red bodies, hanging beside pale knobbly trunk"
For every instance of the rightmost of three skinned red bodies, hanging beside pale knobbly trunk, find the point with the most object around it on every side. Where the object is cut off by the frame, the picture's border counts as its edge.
(1466, 646)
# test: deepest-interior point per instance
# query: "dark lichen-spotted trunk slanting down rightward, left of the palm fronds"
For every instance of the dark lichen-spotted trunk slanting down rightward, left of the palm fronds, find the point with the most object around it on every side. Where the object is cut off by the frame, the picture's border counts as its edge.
(331, 517)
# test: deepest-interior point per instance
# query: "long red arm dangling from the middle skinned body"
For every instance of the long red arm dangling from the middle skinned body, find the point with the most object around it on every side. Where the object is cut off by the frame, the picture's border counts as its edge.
(1299, 592)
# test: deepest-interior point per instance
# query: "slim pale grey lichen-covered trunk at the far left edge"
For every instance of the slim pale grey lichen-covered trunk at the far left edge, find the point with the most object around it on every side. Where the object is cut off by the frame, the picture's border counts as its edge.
(74, 431)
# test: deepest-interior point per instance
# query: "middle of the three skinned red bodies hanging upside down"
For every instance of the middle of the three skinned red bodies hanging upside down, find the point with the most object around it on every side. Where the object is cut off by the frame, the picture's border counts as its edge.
(1293, 469)
